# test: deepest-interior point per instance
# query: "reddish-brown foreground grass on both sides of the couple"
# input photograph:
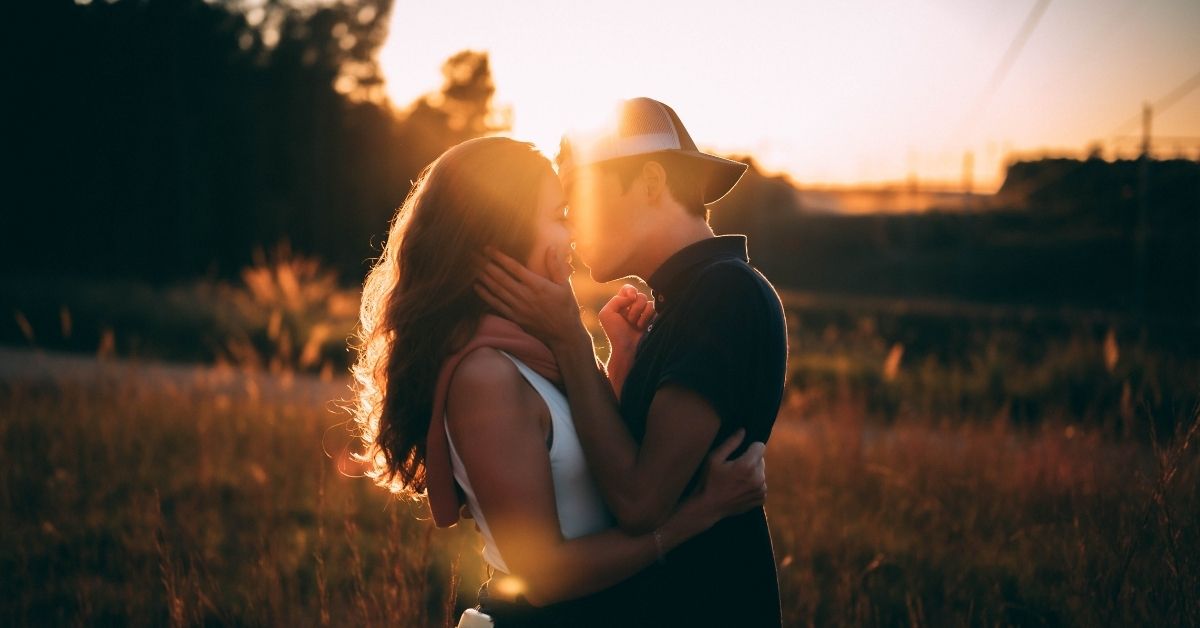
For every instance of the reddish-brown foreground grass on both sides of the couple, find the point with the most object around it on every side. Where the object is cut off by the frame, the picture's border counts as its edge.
(218, 497)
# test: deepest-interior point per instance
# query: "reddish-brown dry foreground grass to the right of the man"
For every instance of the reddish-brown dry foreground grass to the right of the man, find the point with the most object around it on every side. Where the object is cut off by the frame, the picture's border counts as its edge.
(969, 524)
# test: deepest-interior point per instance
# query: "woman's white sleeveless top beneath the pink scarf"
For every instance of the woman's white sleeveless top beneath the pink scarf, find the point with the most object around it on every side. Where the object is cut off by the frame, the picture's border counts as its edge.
(581, 511)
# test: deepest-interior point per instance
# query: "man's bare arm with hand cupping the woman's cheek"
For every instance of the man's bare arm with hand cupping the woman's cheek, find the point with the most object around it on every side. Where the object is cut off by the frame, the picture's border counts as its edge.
(640, 485)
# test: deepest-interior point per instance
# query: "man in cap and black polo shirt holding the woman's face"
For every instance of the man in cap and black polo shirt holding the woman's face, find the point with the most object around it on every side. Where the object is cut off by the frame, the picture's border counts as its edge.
(712, 362)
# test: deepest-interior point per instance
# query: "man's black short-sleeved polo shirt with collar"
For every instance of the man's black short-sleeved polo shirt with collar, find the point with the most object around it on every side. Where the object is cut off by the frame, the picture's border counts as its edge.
(719, 333)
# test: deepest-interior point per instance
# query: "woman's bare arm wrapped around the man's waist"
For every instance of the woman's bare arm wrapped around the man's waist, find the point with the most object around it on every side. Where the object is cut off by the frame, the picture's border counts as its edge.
(494, 420)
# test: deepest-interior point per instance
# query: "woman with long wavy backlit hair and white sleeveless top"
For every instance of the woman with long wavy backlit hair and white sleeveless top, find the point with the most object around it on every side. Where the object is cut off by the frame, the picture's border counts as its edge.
(464, 405)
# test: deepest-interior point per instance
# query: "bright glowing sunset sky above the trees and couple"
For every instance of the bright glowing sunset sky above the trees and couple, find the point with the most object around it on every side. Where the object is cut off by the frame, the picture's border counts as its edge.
(831, 93)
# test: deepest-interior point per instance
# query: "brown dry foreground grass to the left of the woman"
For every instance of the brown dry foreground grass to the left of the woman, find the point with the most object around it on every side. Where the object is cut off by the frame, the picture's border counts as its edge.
(148, 501)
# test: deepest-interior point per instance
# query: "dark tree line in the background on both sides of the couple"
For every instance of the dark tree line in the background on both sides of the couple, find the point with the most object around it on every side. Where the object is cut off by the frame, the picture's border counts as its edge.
(165, 140)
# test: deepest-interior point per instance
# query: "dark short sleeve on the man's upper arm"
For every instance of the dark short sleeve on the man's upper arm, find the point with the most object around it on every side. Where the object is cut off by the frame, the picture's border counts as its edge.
(717, 345)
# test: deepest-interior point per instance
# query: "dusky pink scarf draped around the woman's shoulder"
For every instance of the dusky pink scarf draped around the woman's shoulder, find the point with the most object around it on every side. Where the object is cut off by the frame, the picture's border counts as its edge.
(499, 334)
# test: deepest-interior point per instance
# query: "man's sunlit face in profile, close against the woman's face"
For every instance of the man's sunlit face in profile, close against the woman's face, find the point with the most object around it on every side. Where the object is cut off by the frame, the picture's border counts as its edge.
(603, 216)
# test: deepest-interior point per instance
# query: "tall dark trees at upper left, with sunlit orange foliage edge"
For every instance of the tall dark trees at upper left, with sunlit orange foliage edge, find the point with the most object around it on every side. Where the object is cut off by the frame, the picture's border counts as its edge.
(164, 139)
